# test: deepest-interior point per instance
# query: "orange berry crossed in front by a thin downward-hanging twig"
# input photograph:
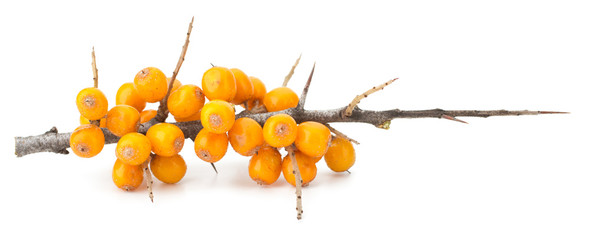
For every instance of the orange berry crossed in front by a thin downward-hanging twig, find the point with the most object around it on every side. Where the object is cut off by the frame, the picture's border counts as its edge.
(306, 165)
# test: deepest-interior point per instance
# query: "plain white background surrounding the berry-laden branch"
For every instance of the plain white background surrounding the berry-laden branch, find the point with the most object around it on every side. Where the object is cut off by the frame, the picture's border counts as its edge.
(497, 178)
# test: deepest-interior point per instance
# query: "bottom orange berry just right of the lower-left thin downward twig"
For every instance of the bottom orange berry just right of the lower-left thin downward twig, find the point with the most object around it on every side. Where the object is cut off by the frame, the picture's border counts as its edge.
(168, 169)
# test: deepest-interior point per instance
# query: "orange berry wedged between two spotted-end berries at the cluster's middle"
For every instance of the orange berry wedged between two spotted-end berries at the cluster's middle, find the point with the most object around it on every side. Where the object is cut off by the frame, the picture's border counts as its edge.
(246, 136)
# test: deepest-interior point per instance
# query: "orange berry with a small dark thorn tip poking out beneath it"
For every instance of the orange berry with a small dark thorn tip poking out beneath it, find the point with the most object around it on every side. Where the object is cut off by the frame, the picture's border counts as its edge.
(209, 146)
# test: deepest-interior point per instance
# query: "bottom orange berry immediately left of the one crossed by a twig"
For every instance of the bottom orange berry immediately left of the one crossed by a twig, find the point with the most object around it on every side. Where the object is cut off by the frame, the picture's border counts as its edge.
(265, 166)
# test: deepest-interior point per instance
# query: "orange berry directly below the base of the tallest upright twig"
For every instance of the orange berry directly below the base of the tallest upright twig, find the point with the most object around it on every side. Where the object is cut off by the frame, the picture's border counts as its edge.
(166, 139)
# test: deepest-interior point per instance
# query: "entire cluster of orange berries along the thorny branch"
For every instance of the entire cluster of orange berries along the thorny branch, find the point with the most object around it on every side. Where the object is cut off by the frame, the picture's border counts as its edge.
(162, 143)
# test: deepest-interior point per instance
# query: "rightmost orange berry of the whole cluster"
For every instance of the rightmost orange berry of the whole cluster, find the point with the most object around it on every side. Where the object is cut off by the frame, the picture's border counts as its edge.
(341, 155)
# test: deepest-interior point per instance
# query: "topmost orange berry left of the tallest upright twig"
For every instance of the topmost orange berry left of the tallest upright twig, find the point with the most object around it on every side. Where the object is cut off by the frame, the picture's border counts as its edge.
(151, 84)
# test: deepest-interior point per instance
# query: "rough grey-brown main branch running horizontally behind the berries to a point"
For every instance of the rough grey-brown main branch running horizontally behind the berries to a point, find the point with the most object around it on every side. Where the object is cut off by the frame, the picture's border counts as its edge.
(59, 142)
